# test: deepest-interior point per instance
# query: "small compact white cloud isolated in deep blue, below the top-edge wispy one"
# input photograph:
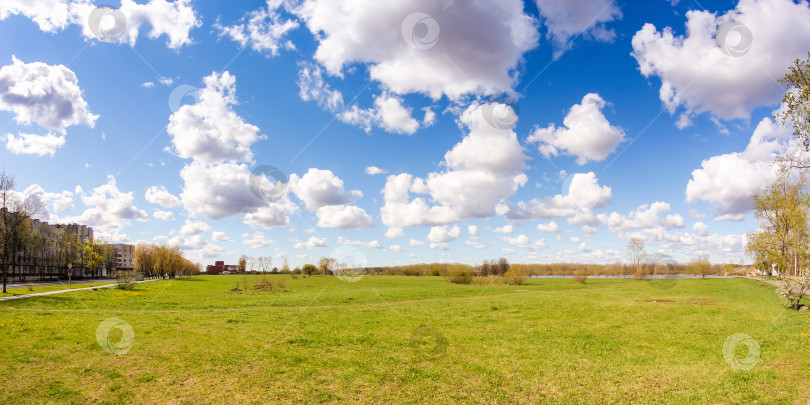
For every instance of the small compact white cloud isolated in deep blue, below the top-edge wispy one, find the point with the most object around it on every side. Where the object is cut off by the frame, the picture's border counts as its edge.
(587, 134)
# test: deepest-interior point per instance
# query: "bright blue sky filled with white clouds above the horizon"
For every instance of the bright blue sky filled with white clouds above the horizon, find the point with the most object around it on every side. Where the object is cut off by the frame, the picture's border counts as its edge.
(628, 124)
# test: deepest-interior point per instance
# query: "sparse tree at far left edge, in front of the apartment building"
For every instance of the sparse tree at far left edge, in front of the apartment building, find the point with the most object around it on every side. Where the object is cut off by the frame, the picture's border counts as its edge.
(14, 213)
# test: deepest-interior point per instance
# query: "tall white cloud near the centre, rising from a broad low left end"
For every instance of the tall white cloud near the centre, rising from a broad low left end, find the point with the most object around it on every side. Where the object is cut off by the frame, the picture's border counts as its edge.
(482, 170)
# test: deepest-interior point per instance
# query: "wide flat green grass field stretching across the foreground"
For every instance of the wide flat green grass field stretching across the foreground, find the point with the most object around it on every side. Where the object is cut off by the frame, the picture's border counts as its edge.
(387, 339)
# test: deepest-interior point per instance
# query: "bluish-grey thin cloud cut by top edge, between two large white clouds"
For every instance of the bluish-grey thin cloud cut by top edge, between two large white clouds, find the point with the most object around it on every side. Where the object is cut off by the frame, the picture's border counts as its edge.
(566, 20)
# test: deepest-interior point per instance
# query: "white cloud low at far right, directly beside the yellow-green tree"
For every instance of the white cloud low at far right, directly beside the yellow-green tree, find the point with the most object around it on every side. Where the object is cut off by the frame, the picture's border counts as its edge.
(729, 181)
